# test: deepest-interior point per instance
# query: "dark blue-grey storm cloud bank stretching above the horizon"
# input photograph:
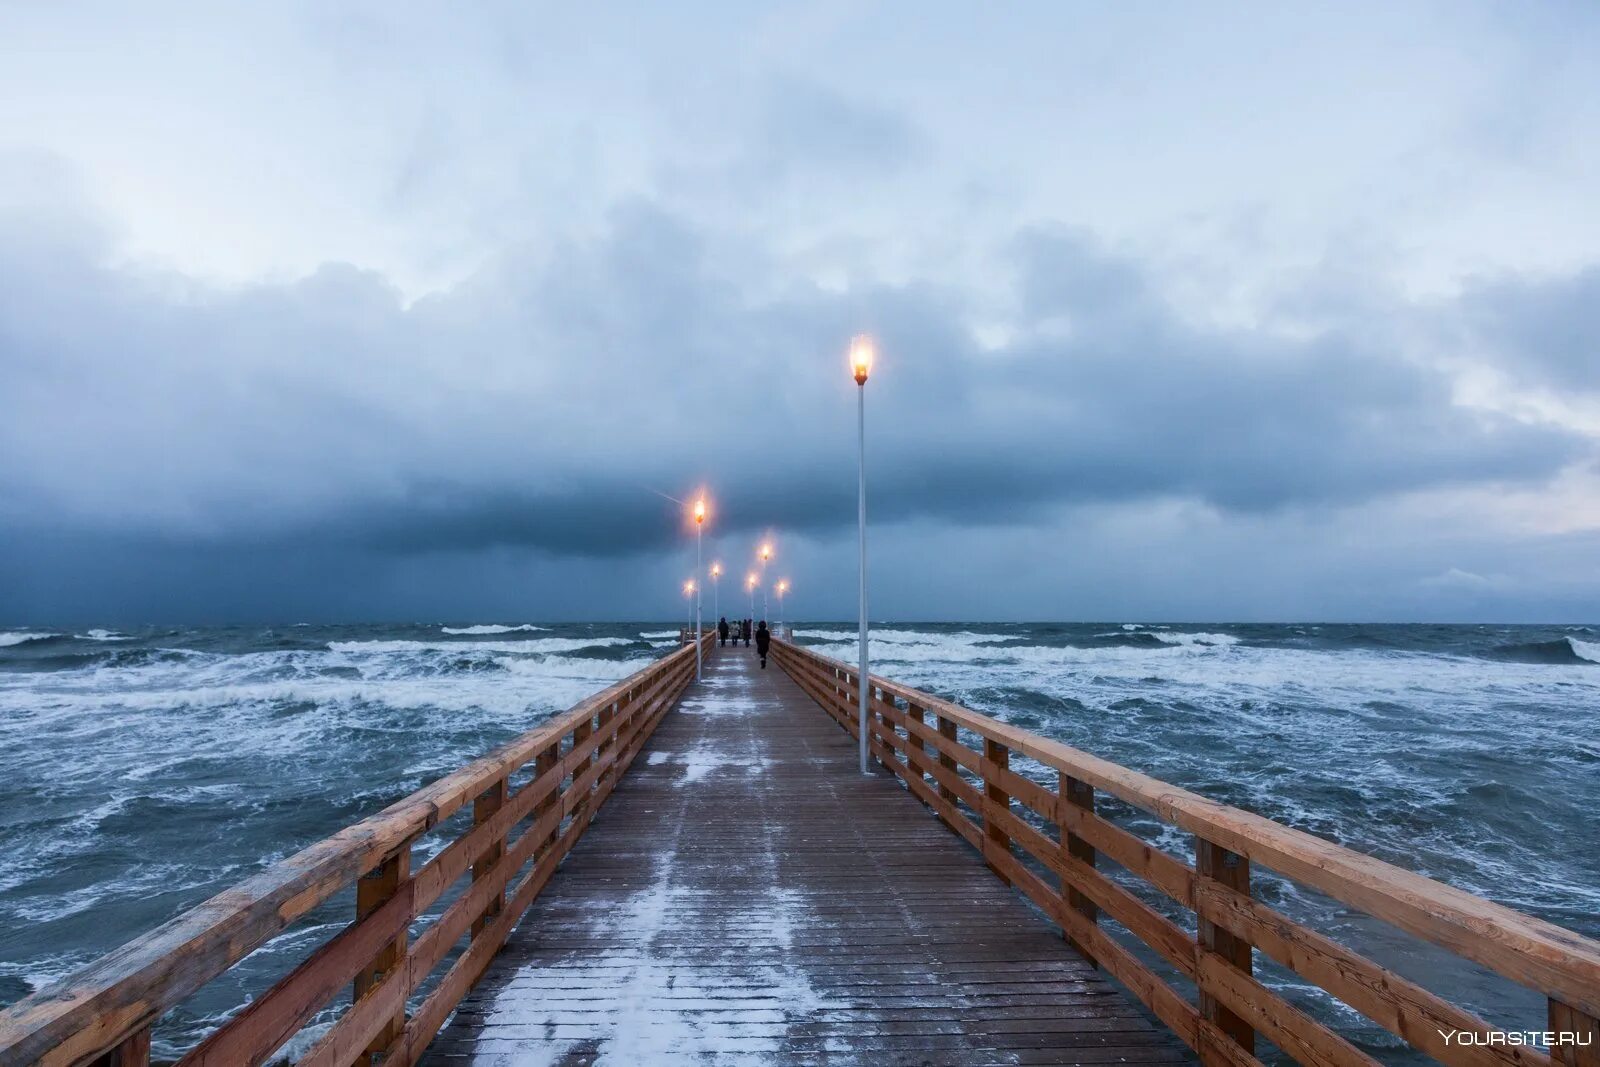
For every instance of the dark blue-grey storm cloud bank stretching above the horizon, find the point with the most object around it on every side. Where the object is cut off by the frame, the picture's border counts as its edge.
(545, 402)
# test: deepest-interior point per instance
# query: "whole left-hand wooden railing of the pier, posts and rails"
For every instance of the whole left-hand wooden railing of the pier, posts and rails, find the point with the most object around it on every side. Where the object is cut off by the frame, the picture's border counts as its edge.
(105, 1013)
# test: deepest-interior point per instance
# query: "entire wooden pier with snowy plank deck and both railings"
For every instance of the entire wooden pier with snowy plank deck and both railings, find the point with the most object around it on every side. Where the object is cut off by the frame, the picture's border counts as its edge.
(698, 871)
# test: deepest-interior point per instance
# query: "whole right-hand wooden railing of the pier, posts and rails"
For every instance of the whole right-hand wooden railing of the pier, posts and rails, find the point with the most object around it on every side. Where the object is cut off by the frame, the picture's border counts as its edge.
(1023, 828)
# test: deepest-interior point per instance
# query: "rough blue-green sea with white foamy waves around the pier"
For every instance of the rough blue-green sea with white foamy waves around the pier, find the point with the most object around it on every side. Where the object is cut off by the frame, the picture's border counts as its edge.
(146, 769)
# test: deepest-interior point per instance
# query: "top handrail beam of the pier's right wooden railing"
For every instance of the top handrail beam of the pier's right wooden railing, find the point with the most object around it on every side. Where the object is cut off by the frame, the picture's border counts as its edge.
(1545, 957)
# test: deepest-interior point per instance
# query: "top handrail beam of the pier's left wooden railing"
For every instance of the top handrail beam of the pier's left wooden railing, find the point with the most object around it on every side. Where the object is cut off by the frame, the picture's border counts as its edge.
(148, 977)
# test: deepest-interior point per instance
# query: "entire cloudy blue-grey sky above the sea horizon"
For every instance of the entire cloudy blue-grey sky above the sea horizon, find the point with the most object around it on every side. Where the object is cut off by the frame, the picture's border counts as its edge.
(422, 311)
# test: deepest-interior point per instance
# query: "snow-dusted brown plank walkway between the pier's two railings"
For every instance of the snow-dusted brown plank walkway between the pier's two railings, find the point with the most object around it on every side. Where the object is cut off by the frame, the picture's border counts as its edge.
(748, 893)
